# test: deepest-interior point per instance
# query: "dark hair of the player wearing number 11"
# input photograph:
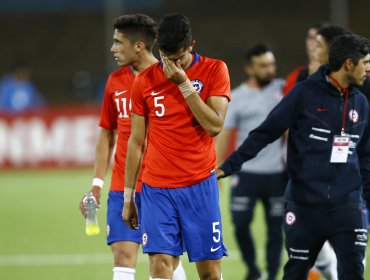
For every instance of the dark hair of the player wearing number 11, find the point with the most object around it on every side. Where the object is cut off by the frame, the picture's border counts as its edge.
(137, 27)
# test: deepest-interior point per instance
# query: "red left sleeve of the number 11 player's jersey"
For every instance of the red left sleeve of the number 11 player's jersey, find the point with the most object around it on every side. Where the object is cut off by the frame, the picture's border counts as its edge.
(108, 116)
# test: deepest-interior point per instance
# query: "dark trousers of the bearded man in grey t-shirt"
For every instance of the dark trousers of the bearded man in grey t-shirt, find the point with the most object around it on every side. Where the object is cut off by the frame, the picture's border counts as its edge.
(247, 188)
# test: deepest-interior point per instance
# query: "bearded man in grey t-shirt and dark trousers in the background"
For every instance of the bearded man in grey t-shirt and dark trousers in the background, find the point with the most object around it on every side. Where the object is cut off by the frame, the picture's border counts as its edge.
(263, 178)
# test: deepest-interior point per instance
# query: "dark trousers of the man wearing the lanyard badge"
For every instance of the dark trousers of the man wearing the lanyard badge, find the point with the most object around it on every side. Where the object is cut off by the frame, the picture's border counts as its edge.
(307, 228)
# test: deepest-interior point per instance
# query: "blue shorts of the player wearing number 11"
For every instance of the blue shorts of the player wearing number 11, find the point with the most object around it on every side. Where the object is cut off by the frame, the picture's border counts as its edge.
(117, 230)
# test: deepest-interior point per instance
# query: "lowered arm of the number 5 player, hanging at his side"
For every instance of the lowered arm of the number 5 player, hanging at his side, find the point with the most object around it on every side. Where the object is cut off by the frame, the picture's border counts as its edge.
(135, 150)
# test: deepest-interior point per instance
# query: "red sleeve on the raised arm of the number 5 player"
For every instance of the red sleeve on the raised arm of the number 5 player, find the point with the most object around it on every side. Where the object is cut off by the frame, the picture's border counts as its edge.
(220, 83)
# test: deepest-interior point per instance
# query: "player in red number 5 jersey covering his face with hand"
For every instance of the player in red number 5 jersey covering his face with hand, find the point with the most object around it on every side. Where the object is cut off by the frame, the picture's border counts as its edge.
(181, 104)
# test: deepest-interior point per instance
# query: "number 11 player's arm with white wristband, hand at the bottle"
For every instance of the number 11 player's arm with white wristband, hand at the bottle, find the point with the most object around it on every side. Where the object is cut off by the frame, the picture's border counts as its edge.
(103, 154)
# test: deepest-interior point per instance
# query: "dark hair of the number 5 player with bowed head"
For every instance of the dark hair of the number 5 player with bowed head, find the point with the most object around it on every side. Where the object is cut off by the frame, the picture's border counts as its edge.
(174, 33)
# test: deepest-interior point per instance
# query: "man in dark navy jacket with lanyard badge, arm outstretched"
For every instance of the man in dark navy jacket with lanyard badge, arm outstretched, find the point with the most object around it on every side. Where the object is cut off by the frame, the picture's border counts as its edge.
(328, 160)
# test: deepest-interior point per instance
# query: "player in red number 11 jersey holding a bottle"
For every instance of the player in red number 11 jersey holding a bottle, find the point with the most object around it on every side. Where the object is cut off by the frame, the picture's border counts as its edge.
(133, 40)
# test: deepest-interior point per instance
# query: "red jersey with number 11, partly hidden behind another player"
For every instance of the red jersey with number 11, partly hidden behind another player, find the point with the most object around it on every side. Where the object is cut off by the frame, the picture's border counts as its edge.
(116, 114)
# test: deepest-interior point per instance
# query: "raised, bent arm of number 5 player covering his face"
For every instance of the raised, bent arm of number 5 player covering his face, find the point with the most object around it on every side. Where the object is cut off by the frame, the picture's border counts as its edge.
(210, 114)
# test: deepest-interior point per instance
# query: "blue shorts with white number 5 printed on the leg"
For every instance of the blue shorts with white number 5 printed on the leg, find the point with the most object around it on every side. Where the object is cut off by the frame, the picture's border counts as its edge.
(183, 219)
